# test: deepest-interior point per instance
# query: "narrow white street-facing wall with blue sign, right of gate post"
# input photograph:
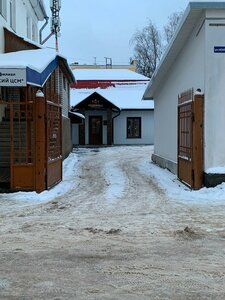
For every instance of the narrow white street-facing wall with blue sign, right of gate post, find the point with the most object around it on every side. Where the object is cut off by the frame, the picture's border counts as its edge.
(215, 92)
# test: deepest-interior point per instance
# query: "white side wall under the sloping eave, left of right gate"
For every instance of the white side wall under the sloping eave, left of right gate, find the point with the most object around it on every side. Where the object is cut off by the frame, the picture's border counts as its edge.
(186, 72)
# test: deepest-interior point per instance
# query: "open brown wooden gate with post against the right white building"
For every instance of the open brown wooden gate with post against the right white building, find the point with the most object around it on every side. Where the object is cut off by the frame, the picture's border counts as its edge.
(190, 139)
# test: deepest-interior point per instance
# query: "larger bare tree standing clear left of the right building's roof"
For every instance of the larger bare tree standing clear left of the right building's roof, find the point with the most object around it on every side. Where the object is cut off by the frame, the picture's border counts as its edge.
(147, 49)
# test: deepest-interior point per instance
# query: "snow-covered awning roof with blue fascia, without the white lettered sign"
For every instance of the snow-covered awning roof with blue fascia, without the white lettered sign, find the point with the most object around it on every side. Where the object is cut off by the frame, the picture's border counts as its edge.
(39, 63)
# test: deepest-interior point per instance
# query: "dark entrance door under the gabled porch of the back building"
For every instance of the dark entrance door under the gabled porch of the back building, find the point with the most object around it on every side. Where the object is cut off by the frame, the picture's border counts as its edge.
(95, 130)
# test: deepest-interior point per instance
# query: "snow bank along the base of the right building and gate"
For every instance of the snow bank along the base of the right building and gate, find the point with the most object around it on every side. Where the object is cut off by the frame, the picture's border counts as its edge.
(175, 189)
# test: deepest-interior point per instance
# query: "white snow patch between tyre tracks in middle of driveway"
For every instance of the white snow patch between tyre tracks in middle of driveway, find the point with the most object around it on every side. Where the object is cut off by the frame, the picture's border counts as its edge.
(115, 181)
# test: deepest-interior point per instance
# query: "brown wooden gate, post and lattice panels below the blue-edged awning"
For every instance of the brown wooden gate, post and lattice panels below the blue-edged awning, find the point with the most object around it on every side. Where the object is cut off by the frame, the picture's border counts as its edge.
(30, 141)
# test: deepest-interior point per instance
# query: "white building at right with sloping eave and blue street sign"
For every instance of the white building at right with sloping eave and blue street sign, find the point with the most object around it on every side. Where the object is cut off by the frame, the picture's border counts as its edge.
(195, 59)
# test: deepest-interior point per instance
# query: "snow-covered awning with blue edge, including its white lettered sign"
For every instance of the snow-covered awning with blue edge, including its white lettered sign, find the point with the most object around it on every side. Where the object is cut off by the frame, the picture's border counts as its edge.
(29, 67)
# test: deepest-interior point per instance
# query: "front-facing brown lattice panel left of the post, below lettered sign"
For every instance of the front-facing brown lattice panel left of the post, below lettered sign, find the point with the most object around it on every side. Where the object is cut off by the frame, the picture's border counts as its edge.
(17, 140)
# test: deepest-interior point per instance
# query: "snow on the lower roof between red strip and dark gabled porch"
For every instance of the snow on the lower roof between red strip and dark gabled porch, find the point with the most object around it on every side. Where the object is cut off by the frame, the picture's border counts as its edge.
(121, 97)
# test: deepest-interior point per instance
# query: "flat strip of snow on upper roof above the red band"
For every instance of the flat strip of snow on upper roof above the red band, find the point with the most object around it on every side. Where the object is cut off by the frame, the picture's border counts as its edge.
(108, 74)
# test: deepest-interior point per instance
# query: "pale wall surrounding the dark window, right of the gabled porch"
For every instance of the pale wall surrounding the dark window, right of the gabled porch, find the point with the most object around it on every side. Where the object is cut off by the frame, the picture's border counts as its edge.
(147, 128)
